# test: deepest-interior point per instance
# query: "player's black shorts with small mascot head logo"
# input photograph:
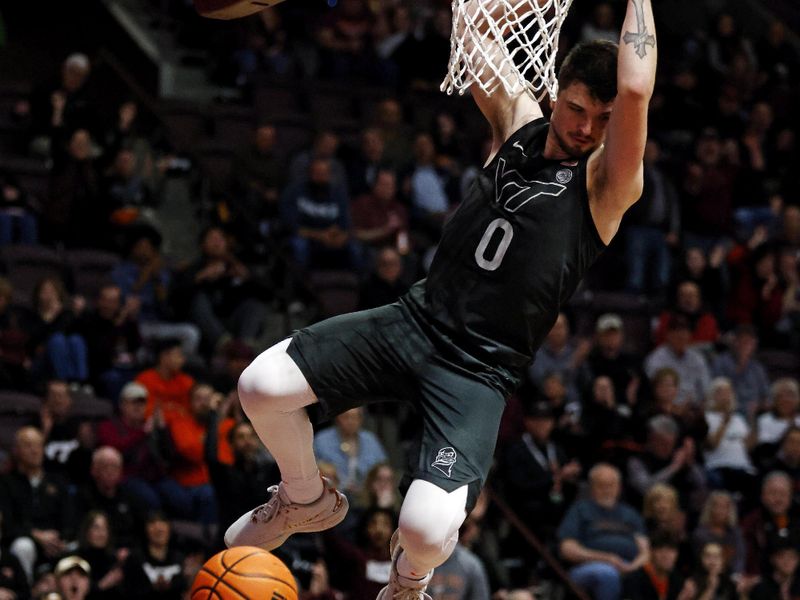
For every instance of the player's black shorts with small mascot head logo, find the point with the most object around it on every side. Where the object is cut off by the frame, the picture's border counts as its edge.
(383, 354)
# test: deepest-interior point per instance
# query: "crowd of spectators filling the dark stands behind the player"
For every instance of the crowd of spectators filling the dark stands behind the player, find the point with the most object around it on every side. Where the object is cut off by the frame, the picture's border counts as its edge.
(660, 463)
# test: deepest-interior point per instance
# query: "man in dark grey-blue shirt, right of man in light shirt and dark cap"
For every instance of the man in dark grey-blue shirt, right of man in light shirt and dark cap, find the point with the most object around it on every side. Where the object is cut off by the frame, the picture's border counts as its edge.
(746, 373)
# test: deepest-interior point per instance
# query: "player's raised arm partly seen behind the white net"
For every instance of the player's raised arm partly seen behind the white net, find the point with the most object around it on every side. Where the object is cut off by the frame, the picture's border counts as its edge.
(504, 113)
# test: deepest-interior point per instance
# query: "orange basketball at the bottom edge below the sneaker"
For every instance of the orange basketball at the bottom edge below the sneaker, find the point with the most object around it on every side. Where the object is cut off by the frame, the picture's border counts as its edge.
(244, 573)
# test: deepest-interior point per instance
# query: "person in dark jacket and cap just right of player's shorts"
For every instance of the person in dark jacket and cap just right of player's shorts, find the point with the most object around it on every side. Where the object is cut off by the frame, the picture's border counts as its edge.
(540, 478)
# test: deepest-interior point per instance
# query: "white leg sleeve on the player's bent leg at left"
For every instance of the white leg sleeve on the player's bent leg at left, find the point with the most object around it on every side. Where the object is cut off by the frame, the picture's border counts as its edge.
(273, 393)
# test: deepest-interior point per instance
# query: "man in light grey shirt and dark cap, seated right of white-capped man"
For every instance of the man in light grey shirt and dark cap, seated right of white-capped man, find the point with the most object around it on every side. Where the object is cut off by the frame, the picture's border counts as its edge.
(687, 362)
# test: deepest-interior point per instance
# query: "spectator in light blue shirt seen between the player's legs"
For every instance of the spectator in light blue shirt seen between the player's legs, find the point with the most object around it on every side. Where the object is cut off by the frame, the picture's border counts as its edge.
(351, 449)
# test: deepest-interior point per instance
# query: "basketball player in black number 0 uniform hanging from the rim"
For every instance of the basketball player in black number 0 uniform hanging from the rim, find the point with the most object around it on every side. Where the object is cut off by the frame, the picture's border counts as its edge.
(546, 204)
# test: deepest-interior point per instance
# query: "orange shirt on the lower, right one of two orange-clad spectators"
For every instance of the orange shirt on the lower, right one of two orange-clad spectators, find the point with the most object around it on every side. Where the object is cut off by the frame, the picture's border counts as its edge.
(189, 436)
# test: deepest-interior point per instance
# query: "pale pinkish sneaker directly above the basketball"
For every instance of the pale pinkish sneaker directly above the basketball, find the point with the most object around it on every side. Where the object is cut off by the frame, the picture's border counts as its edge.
(268, 525)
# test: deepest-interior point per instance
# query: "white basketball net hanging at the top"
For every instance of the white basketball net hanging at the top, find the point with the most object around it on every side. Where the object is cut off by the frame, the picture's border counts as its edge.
(508, 43)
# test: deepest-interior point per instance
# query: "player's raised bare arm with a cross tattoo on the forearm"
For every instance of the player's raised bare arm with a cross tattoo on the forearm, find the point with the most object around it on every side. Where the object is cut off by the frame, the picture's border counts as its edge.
(616, 170)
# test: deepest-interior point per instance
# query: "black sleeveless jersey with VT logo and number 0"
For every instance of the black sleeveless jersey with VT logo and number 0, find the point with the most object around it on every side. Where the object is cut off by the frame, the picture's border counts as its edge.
(510, 256)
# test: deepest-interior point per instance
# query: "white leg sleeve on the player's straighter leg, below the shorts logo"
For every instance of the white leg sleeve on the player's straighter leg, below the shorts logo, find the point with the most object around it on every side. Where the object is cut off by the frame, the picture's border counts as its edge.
(429, 521)
